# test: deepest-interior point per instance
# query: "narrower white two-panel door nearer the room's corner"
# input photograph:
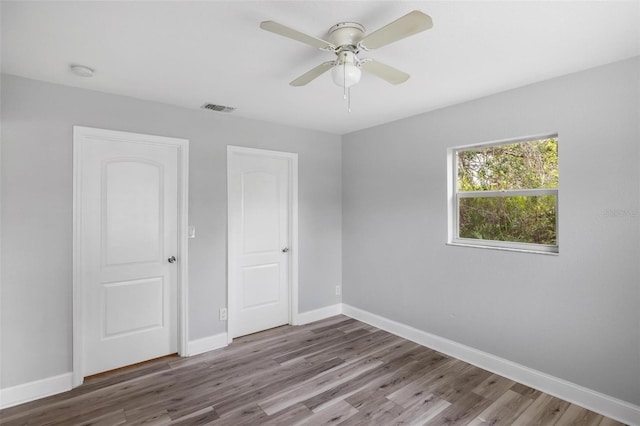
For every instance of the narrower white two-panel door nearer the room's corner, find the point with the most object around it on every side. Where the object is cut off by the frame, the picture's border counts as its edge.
(259, 197)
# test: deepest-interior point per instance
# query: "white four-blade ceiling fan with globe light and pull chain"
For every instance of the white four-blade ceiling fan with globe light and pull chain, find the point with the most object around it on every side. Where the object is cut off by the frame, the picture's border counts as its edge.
(347, 40)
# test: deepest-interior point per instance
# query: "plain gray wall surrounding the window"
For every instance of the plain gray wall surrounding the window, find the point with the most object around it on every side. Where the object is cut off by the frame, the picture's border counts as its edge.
(576, 315)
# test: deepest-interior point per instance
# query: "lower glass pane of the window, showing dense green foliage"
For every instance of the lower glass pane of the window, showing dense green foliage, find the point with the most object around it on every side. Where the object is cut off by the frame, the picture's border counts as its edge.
(522, 219)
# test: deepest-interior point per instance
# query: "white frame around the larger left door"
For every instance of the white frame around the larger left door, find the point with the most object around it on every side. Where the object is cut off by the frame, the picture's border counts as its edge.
(182, 145)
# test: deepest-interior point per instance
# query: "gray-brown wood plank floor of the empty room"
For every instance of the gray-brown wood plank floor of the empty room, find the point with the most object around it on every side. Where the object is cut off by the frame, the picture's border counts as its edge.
(335, 371)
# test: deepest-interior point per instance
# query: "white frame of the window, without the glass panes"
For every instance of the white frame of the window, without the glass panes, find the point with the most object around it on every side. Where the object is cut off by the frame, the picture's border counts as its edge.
(455, 196)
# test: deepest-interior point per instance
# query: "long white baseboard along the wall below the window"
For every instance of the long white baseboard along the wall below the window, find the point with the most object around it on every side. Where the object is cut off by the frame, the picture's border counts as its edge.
(600, 403)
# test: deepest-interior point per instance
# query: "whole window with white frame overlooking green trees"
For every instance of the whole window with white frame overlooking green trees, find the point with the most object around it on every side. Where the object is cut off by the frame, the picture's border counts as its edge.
(505, 195)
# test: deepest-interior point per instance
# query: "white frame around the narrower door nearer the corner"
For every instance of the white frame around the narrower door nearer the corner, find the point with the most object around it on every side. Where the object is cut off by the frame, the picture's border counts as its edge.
(292, 159)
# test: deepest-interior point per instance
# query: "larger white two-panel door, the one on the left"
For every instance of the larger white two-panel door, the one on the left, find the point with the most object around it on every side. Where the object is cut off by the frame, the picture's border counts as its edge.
(128, 232)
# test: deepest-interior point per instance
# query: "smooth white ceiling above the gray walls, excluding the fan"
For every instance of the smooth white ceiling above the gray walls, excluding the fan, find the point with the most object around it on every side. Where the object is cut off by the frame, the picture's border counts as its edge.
(189, 53)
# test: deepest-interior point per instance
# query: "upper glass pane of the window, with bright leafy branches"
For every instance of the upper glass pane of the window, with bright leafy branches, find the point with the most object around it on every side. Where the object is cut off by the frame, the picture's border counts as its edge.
(521, 165)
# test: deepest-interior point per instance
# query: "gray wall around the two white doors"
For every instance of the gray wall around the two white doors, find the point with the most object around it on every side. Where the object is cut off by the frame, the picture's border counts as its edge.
(36, 291)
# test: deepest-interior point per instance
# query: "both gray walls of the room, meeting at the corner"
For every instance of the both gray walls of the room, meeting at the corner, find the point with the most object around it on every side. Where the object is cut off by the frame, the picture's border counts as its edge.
(575, 316)
